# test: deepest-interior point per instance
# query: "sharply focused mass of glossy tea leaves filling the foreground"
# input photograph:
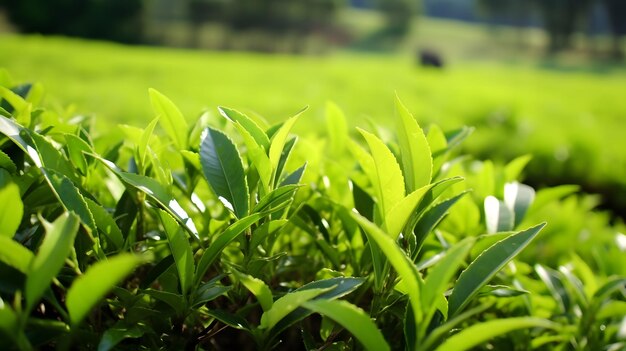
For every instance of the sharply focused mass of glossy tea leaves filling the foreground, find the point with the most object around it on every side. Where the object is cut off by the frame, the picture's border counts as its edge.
(203, 239)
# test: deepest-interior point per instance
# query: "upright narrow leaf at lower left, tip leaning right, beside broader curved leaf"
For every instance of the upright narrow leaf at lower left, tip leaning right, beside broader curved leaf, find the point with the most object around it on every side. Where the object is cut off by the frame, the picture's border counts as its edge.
(56, 246)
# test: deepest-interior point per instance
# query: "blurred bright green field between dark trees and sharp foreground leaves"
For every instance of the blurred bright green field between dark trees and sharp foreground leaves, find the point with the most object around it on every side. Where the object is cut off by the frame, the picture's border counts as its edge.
(571, 120)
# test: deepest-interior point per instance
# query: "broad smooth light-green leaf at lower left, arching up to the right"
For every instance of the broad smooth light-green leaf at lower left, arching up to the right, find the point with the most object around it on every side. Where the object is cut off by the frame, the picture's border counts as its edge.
(88, 289)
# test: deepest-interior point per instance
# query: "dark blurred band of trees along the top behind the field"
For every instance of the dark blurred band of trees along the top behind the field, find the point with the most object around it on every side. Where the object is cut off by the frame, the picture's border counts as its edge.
(286, 25)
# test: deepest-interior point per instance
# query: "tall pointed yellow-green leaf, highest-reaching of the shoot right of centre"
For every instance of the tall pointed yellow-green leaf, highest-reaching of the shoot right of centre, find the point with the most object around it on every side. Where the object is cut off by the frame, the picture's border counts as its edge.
(417, 161)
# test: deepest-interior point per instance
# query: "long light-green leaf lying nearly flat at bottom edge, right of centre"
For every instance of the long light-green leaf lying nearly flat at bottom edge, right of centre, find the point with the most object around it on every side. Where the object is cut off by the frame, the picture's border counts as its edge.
(485, 331)
